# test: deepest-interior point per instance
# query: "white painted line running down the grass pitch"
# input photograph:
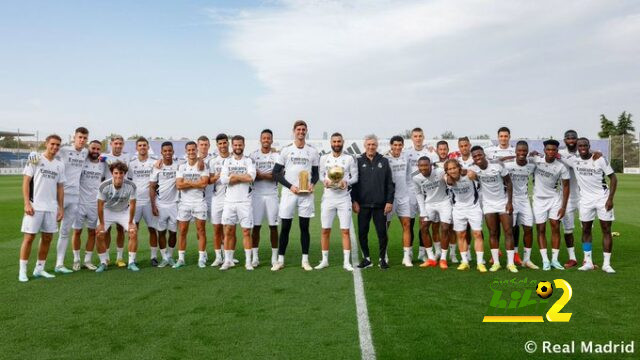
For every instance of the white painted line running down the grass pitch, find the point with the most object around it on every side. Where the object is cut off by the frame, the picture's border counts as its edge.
(364, 327)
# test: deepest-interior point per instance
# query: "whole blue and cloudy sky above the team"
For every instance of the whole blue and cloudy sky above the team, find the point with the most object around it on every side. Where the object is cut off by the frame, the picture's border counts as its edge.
(187, 68)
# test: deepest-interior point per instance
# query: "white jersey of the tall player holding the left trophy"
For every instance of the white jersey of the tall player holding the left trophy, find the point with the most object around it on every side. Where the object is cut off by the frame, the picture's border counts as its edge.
(296, 160)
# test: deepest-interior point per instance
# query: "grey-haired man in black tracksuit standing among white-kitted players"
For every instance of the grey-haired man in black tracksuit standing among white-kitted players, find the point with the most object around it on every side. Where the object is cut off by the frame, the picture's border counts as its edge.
(372, 197)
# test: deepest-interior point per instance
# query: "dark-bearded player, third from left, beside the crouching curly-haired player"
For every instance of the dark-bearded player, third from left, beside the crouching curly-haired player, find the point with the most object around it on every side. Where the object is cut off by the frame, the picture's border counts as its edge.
(90, 180)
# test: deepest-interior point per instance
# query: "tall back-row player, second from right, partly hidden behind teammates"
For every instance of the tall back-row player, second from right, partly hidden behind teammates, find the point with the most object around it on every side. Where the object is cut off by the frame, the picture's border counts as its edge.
(568, 221)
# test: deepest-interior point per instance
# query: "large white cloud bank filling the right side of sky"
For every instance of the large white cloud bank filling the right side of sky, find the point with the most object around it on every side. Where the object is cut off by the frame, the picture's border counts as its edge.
(469, 66)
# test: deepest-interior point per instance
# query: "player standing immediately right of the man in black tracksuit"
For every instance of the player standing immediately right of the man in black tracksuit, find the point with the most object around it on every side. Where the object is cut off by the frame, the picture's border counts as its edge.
(401, 202)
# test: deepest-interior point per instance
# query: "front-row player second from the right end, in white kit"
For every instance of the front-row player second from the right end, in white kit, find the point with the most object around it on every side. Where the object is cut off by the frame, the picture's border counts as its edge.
(548, 204)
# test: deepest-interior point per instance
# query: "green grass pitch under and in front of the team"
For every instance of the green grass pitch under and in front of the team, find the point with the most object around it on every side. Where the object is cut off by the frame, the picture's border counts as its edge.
(205, 313)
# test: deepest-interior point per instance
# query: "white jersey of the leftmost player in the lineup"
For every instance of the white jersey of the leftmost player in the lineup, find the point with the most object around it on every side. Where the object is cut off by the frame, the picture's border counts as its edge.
(45, 177)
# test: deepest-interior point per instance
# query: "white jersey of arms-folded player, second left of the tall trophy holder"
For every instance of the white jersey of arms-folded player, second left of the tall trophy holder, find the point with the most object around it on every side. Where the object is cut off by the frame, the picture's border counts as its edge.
(238, 192)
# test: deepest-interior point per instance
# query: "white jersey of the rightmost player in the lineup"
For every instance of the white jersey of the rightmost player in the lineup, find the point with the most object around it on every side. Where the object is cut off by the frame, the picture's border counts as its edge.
(591, 176)
